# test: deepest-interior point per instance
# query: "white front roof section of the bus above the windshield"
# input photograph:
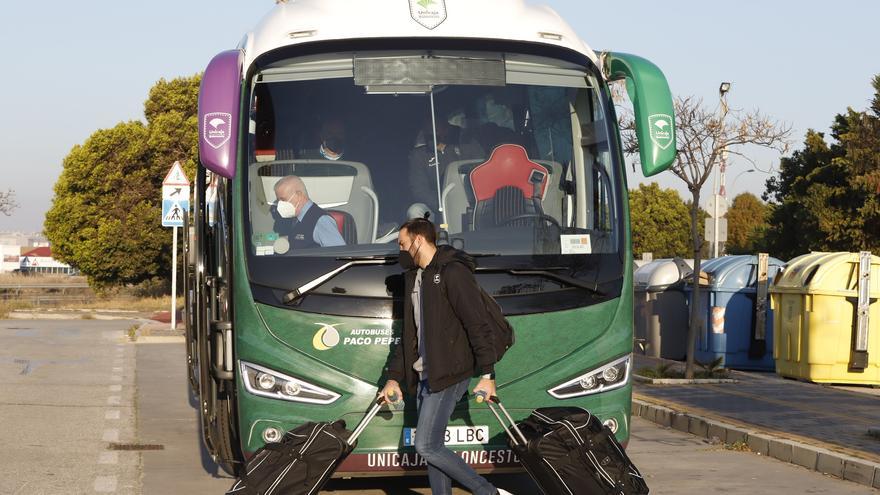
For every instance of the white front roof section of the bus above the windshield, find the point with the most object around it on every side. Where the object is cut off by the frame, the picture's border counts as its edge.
(307, 21)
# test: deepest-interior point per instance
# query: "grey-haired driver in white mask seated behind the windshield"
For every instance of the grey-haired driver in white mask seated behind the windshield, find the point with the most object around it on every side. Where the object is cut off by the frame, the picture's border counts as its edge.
(299, 222)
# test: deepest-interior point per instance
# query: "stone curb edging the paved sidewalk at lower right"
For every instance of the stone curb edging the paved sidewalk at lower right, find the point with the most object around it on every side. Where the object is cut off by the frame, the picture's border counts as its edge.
(809, 456)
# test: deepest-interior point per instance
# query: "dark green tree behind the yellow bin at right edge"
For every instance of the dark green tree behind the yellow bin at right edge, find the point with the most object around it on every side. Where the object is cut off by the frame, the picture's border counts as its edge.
(827, 196)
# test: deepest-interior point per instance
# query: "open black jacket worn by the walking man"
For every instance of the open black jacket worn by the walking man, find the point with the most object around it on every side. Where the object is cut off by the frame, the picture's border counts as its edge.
(458, 337)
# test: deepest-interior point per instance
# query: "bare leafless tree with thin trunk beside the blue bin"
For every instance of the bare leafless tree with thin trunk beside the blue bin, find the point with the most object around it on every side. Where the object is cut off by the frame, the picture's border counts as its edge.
(704, 138)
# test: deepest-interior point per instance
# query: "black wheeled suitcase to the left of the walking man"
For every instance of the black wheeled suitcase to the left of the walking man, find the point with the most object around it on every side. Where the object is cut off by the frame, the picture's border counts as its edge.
(303, 461)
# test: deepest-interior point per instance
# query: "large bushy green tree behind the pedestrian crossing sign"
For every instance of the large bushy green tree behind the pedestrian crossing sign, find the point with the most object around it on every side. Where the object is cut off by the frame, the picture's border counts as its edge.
(105, 216)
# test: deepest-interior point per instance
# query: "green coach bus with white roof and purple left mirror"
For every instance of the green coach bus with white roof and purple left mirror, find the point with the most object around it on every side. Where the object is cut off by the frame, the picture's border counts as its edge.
(493, 119)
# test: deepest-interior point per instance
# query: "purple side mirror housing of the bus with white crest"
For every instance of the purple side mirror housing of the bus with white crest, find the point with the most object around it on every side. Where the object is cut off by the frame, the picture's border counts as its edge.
(219, 106)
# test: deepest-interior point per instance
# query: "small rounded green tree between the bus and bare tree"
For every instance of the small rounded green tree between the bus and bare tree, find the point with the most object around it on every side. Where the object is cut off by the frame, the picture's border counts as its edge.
(660, 223)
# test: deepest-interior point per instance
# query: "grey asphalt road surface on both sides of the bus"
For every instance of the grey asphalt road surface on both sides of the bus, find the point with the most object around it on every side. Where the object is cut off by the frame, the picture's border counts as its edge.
(56, 400)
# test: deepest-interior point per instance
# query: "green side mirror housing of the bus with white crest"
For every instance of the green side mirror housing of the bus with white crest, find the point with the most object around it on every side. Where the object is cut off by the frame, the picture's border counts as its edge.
(654, 112)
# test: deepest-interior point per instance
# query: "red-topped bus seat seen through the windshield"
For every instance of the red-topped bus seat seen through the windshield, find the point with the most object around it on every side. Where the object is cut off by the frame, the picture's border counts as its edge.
(504, 186)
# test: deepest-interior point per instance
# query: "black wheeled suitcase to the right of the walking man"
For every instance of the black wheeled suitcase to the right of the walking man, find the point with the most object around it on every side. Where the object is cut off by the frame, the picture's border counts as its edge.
(568, 451)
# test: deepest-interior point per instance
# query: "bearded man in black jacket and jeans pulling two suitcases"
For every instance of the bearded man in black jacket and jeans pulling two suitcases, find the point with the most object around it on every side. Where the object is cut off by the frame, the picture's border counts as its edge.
(446, 341)
